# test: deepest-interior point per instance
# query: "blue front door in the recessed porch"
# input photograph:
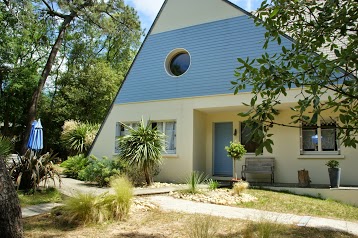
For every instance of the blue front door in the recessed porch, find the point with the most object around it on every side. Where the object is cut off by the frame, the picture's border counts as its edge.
(223, 165)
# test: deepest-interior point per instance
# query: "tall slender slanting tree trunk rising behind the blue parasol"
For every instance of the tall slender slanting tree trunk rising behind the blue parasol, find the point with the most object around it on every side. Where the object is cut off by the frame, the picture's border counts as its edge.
(45, 73)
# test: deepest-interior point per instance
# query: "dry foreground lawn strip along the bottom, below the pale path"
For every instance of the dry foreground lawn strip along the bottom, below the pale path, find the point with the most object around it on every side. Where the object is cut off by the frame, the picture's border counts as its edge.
(156, 224)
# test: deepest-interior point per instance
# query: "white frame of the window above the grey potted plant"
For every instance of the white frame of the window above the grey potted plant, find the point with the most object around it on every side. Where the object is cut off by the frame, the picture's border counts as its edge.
(319, 150)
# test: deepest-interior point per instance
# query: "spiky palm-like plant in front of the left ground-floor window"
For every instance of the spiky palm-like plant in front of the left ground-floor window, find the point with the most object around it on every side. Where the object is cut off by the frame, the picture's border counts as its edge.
(143, 147)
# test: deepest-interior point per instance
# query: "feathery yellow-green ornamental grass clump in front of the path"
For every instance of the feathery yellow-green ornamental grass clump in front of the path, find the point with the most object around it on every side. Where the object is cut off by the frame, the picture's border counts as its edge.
(94, 209)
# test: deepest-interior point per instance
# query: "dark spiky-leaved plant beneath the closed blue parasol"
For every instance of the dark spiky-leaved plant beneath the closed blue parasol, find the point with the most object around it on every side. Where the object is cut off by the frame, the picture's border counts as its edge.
(30, 169)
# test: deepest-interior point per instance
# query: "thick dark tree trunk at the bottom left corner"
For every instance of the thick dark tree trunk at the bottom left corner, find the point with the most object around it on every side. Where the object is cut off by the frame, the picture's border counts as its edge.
(10, 210)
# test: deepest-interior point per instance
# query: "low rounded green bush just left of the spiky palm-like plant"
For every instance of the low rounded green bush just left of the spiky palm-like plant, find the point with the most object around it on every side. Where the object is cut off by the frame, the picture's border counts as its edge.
(100, 170)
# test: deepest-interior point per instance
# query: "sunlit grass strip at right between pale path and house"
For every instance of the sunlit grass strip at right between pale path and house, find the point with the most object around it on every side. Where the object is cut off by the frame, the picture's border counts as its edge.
(301, 205)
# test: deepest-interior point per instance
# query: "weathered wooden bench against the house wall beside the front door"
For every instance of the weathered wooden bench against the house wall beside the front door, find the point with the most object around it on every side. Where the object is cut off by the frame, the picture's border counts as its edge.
(259, 166)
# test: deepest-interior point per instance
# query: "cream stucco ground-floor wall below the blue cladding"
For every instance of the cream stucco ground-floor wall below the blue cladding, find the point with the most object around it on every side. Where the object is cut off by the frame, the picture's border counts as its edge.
(195, 118)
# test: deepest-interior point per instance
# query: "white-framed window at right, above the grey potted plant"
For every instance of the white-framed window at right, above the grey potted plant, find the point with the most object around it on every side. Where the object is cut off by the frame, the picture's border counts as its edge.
(320, 138)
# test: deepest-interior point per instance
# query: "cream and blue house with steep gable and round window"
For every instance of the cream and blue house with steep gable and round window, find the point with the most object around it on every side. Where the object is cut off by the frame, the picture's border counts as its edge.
(180, 80)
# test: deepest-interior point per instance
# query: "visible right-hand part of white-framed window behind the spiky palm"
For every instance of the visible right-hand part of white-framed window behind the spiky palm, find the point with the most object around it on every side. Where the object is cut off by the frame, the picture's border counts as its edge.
(169, 129)
